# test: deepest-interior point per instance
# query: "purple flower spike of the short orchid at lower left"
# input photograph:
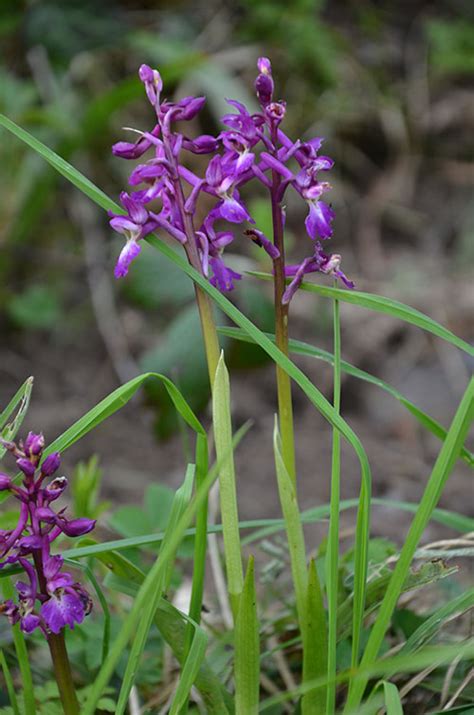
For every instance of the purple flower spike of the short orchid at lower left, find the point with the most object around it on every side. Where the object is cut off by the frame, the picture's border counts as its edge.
(50, 599)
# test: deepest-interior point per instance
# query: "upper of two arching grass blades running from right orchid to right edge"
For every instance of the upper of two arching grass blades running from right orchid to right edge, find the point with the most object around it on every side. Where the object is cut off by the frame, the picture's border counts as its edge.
(381, 304)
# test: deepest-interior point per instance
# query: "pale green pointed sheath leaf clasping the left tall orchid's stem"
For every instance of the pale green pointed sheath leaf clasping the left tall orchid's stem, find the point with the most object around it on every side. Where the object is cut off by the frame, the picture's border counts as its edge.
(221, 417)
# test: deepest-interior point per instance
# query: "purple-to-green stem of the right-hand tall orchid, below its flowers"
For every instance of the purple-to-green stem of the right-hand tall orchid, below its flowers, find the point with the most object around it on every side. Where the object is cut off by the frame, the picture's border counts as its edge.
(285, 404)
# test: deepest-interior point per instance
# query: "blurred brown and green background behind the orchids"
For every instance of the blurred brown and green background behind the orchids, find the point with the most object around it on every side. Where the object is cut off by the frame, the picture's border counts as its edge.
(387, 84)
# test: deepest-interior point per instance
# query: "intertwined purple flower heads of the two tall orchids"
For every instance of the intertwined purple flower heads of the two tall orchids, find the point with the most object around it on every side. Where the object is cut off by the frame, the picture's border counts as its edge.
(252, 146)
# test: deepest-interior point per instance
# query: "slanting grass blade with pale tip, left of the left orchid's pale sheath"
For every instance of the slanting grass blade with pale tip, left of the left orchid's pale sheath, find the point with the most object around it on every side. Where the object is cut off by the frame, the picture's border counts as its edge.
(180, 503)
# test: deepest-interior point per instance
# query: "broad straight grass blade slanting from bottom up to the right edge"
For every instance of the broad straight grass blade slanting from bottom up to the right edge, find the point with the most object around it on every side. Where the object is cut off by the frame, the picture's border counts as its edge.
(438, 478)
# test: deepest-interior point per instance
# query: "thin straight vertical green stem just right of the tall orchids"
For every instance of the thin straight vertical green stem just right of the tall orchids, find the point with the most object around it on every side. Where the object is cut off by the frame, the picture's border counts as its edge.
(332, 557)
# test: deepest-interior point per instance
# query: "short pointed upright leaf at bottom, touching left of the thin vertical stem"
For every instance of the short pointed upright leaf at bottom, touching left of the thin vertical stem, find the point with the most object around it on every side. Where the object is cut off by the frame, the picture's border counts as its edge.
(315, 646)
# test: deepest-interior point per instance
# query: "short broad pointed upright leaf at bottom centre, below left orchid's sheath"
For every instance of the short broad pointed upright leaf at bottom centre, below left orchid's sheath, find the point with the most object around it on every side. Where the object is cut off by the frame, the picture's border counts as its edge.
(247, 649)
